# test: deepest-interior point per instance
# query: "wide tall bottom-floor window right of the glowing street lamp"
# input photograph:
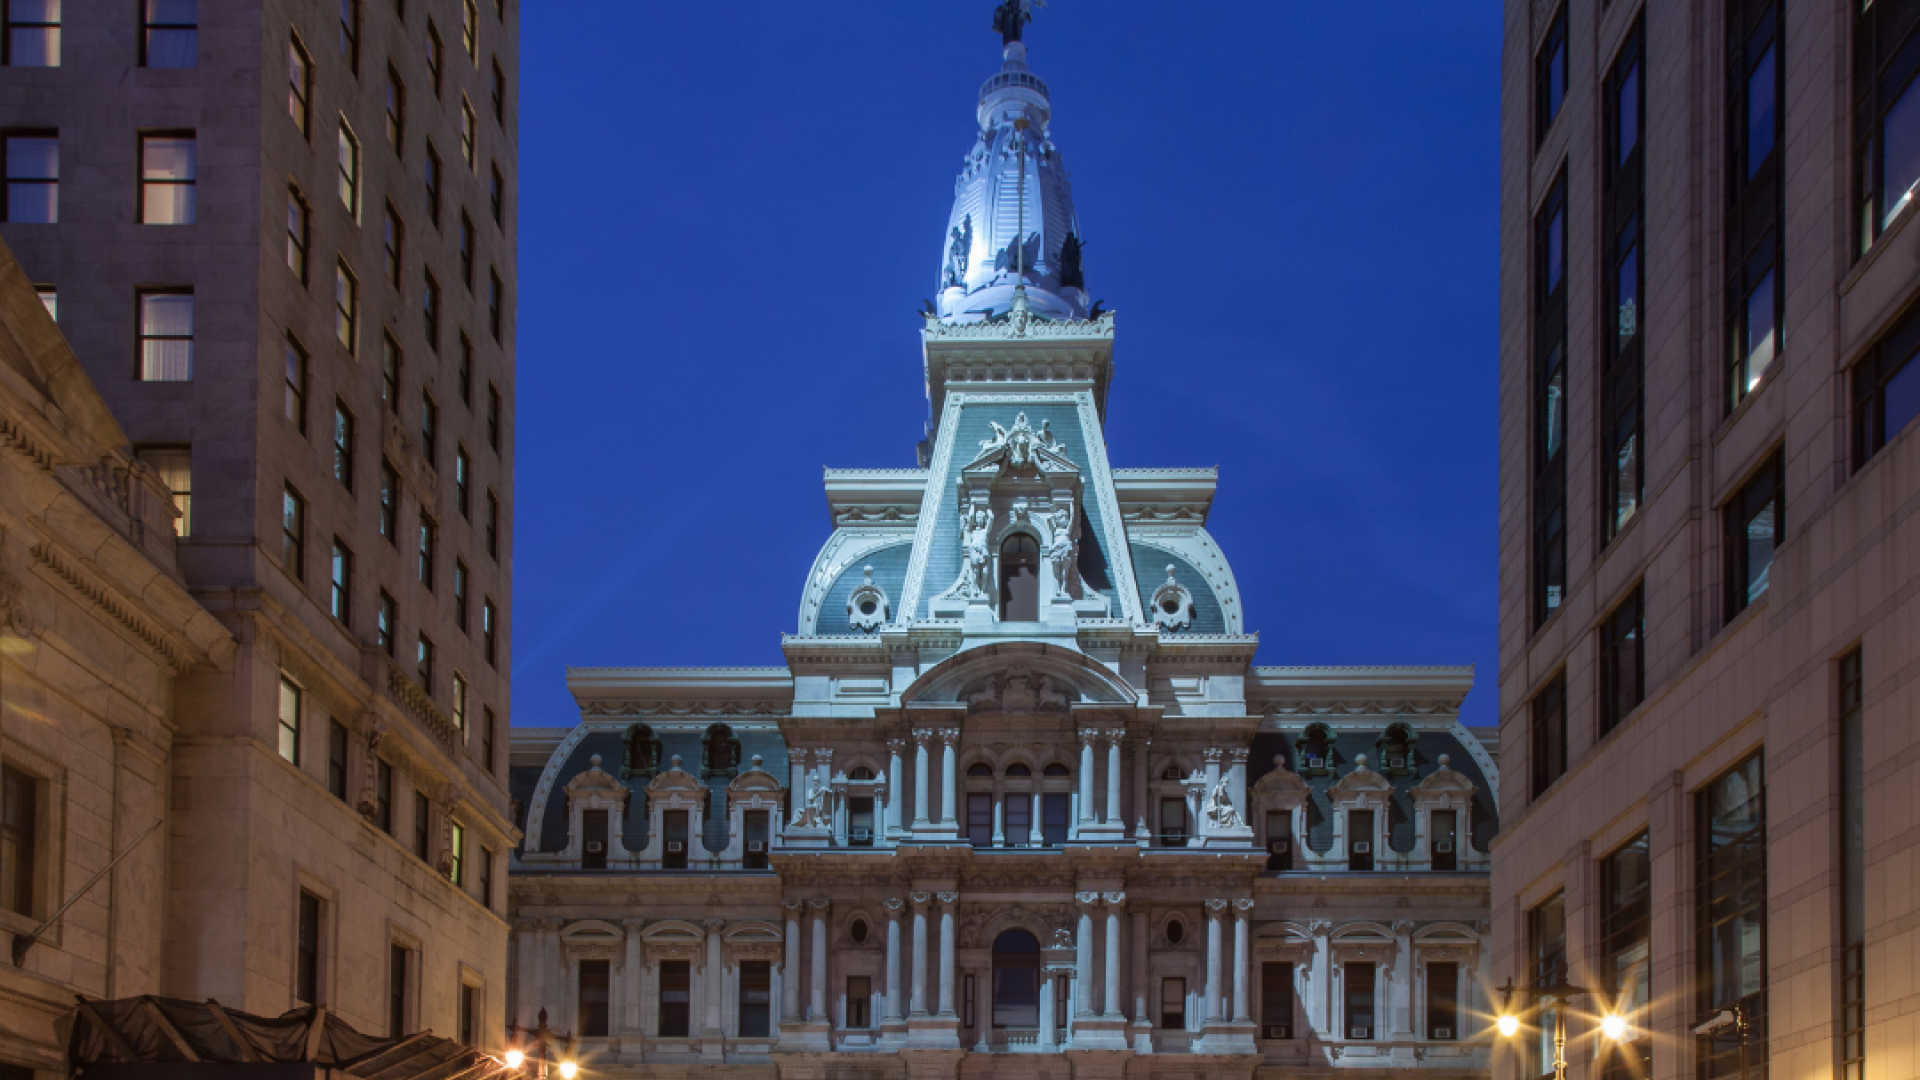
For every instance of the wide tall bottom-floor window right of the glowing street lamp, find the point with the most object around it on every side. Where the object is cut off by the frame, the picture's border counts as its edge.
(1731, 923)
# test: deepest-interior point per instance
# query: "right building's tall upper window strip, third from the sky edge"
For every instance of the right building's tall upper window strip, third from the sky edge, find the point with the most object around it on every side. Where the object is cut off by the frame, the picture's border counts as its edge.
(1752, 262)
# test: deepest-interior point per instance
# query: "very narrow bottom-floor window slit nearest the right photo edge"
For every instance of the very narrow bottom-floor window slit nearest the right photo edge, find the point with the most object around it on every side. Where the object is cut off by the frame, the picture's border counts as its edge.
(1852, 868)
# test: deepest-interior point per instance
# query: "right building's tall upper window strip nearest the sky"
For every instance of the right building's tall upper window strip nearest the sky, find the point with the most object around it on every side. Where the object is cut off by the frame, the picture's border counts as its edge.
(1550, 403)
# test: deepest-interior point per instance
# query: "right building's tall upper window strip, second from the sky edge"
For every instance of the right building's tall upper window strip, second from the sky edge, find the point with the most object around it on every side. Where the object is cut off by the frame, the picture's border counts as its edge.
(1623, 335)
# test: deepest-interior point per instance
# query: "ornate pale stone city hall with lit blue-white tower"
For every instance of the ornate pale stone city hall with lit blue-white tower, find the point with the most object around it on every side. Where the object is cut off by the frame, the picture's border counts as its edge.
(1020, 802)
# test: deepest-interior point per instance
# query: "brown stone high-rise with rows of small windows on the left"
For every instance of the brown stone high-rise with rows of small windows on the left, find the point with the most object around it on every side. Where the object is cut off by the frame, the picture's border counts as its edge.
(281, 241)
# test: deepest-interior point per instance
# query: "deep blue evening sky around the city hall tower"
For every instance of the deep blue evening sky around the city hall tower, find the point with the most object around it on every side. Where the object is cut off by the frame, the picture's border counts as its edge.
(732, 212)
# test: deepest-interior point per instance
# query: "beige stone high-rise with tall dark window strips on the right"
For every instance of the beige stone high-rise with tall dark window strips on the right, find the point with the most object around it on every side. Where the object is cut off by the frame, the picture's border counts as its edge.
(1710, 568)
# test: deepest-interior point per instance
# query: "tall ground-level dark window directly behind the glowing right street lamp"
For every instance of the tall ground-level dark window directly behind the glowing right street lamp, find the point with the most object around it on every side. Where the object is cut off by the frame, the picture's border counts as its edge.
(1625, 948)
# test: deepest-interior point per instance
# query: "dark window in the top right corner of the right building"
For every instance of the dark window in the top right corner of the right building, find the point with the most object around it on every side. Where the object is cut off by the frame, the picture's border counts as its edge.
(1886, 116)
